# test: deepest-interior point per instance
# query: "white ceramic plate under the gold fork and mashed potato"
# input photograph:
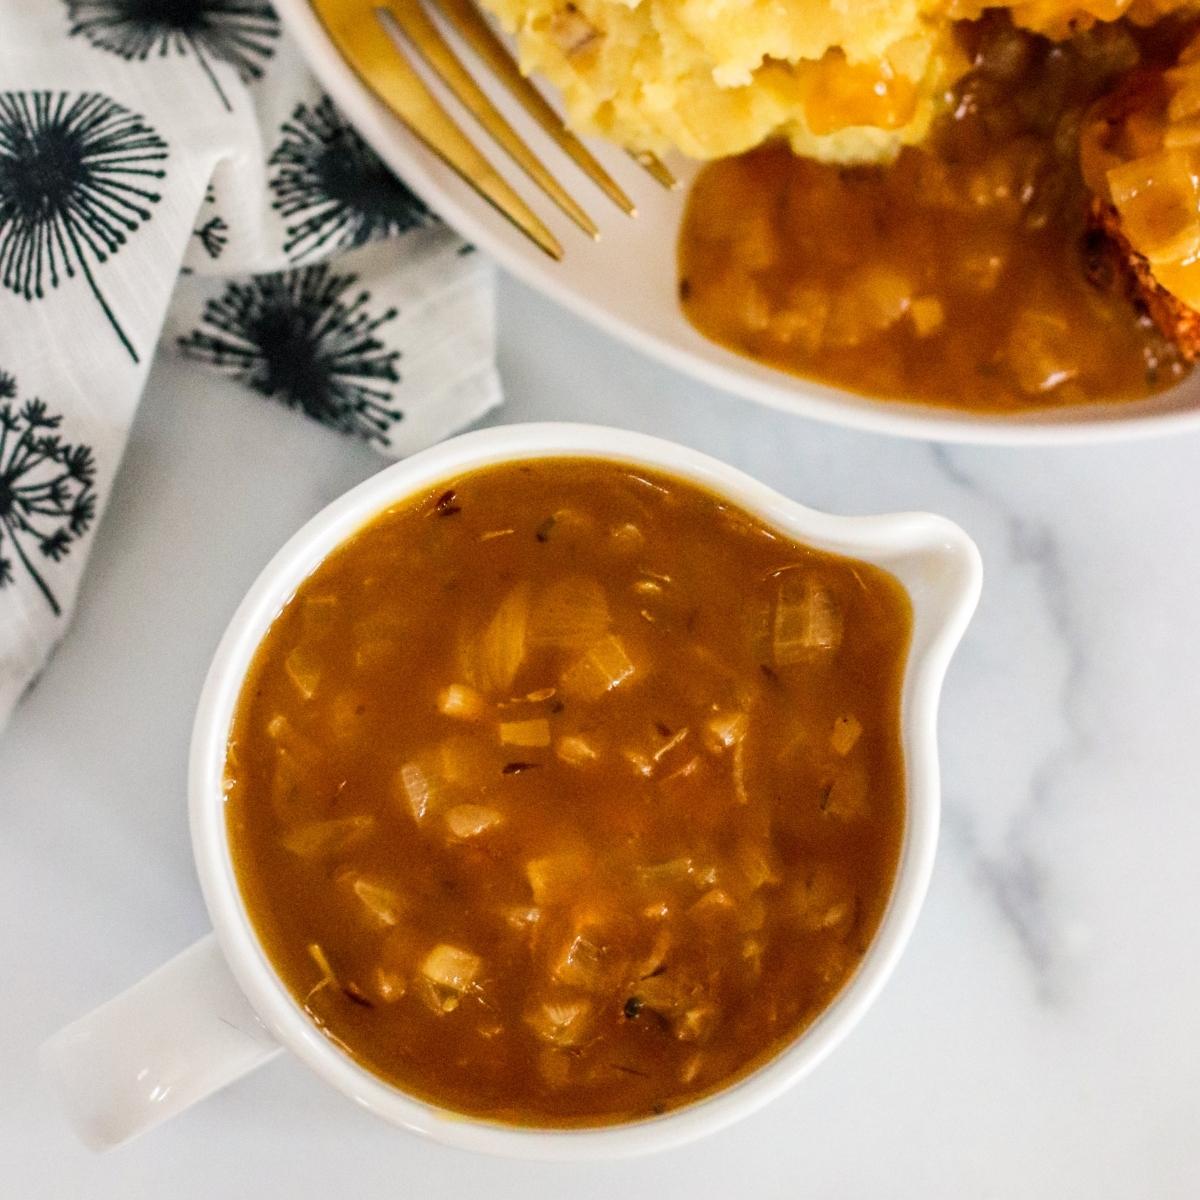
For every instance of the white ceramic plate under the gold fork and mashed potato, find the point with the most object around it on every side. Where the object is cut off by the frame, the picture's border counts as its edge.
(626, 284)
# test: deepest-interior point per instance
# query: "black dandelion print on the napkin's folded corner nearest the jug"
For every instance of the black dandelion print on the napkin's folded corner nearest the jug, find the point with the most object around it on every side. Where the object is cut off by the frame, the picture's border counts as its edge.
(299, 339)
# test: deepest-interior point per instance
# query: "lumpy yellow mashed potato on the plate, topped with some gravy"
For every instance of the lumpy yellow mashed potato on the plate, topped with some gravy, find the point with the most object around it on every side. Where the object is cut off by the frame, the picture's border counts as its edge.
(845, 81)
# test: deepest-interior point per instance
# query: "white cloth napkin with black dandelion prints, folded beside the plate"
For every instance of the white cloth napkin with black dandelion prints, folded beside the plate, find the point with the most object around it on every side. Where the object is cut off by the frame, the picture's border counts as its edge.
(176, 153)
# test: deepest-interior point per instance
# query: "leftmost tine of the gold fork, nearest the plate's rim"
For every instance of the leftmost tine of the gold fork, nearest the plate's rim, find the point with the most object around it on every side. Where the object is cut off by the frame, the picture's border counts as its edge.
(380, 63)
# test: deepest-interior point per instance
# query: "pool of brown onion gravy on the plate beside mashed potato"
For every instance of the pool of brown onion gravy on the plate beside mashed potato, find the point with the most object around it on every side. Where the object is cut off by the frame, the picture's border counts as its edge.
(962, 275)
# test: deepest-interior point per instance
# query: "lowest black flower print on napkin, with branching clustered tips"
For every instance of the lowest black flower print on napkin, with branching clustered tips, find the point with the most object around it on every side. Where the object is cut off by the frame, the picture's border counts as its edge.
(47, 502)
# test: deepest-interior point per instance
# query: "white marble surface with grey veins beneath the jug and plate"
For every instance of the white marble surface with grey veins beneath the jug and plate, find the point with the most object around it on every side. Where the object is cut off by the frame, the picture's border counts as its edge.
(1040, 1039)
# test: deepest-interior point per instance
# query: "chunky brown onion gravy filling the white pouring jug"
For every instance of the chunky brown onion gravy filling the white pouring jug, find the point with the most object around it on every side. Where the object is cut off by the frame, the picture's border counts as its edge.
(569, 793)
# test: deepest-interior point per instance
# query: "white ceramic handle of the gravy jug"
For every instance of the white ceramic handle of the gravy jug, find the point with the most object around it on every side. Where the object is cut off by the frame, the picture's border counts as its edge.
(179, 1035)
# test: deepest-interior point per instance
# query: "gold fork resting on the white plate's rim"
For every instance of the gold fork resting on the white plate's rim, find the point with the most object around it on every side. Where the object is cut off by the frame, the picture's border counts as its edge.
(365, 35)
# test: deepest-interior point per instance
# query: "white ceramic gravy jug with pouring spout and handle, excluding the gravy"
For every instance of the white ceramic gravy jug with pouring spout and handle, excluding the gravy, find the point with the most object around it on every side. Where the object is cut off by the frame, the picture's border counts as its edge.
(163, 1041)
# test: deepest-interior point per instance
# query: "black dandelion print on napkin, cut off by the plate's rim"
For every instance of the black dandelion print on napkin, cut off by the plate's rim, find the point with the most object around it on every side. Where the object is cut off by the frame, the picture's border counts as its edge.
(338, 190)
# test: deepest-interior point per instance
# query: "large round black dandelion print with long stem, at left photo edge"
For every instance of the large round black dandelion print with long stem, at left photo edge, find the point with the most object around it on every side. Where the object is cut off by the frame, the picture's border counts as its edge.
(77, 178)
